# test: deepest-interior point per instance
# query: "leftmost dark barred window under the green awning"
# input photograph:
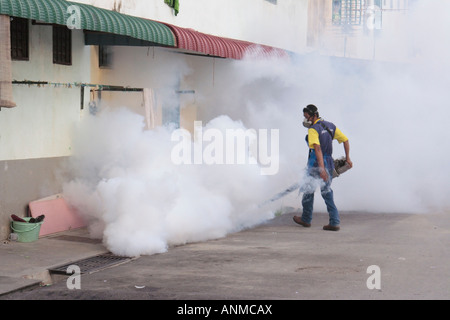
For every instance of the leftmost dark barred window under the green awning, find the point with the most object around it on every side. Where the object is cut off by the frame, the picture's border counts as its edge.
(19, 39)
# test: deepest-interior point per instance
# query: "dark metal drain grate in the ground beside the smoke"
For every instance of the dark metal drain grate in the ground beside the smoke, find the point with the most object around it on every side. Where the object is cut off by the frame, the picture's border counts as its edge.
(91, 264)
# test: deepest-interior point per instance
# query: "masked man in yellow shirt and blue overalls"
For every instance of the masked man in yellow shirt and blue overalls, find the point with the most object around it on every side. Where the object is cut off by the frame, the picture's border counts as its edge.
(320, 138)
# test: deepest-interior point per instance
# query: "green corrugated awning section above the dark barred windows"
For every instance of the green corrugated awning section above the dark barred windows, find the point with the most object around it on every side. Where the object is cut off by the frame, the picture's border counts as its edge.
(90, 18)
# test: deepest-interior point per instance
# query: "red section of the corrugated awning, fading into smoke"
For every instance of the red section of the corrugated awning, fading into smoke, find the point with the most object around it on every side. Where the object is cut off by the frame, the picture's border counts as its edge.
(194, 41)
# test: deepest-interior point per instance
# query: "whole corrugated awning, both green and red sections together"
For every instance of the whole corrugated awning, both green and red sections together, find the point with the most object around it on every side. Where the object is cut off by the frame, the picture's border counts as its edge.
(105, 21)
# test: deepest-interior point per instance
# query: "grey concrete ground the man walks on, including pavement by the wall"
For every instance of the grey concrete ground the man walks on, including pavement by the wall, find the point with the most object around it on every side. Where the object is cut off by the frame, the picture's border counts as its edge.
(274, 261)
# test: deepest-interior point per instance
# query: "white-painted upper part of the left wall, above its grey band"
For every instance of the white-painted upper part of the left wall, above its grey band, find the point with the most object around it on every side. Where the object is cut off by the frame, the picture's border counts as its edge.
(40, 126)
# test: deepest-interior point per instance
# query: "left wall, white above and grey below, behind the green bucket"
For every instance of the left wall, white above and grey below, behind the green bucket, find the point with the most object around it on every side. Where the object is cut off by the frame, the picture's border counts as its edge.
(35, 136)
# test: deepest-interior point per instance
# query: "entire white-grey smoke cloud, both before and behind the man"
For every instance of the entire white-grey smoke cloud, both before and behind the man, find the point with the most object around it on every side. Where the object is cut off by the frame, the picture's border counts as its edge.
(395, 115)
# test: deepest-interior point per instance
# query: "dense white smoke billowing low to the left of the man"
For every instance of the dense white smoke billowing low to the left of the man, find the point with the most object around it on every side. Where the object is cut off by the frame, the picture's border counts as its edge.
(139, 202)
